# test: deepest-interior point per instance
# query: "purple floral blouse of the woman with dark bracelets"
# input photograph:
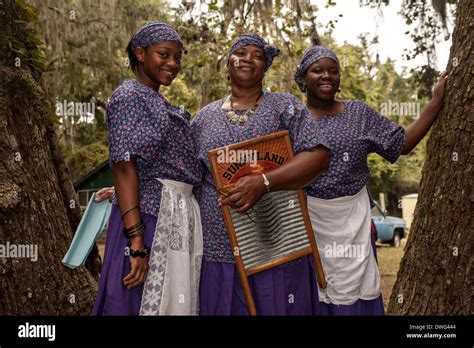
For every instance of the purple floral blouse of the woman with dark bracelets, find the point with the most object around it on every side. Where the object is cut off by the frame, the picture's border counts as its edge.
(143, 124)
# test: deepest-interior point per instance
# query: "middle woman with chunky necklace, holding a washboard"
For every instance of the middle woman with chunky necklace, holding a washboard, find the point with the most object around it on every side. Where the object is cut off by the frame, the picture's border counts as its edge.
(247, 113)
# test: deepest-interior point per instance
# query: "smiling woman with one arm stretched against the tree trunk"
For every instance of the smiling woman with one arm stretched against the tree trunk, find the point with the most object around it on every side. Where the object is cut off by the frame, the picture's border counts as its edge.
(338, 201)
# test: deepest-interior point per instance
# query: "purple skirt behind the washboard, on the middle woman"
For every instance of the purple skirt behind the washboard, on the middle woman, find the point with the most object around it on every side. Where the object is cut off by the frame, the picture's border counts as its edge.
(289, 289)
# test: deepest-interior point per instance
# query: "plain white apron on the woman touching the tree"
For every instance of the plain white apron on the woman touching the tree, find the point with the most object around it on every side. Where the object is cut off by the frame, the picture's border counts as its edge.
(342, 228)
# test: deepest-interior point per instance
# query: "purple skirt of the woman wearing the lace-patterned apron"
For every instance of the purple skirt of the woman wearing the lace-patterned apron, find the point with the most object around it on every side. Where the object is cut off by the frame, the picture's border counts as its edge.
(113, 297)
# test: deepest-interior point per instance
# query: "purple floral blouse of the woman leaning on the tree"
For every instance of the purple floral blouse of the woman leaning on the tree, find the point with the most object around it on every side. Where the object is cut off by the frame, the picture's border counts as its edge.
(352, 135)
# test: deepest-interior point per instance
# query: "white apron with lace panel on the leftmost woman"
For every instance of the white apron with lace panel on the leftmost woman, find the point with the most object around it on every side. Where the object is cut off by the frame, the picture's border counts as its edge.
(172, 284)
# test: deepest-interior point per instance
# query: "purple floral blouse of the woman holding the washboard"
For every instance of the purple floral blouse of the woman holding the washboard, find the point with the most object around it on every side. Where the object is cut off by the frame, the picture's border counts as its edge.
(211, 129)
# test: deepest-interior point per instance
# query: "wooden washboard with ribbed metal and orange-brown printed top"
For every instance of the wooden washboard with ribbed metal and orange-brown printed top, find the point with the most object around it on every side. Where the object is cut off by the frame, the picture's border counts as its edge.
(277, 229)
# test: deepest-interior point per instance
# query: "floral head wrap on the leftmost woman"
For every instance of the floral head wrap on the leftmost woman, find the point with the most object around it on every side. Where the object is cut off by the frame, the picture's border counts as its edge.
(153, 34)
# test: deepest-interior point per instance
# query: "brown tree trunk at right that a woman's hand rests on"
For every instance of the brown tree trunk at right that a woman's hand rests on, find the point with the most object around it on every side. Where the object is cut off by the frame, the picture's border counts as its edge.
(435, 276)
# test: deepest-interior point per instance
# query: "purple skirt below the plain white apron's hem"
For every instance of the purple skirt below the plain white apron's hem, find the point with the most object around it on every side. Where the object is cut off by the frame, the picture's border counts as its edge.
(360, 307)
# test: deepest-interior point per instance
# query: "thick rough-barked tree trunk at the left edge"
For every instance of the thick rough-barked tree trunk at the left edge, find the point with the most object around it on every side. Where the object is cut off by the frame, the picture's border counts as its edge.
(35, 191)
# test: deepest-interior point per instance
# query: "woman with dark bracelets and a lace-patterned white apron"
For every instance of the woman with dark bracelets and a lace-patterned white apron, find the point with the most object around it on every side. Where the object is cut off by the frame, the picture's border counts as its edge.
(154, 171)
